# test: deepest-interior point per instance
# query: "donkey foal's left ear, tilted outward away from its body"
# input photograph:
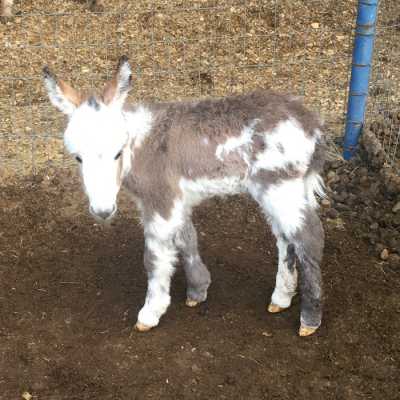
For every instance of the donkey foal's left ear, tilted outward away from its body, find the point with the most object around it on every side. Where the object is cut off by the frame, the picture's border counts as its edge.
(61, 95)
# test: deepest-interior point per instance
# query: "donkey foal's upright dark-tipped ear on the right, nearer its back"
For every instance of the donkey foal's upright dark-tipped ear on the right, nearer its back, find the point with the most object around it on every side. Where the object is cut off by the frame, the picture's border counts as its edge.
(117, 89)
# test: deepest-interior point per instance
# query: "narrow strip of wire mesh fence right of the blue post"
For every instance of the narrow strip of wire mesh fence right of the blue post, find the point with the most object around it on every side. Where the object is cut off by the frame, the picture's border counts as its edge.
(383, 111)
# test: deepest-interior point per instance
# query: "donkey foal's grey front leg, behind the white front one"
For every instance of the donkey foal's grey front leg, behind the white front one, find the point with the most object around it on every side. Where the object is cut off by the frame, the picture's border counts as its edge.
(197, 275)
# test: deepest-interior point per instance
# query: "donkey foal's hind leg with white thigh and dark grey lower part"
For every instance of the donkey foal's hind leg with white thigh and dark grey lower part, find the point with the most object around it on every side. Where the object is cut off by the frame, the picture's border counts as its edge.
(292, 216)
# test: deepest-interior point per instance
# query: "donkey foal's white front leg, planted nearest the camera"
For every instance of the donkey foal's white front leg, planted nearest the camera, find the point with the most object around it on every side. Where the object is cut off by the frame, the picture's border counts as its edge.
(160, 257)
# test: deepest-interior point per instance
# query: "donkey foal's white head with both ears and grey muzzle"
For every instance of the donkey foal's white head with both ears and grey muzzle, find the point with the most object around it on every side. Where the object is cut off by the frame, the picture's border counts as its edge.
(96, 135)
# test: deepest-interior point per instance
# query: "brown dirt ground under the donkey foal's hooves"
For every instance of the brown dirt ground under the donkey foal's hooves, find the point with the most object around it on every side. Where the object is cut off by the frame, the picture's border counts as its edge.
(71, 290)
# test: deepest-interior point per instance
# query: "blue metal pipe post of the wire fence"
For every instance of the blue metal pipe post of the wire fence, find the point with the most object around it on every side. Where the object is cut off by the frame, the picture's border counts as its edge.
(360, 72)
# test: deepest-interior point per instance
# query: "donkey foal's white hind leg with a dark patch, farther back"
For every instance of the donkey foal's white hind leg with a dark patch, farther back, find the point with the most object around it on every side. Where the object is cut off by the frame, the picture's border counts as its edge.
(286, 277)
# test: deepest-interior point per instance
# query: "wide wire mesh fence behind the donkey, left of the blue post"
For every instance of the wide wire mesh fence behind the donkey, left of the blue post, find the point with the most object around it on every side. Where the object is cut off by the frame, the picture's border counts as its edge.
(178, 50)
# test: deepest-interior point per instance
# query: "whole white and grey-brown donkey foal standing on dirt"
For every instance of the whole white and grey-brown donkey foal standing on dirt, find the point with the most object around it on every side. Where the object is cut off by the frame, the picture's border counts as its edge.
(171, 156)
